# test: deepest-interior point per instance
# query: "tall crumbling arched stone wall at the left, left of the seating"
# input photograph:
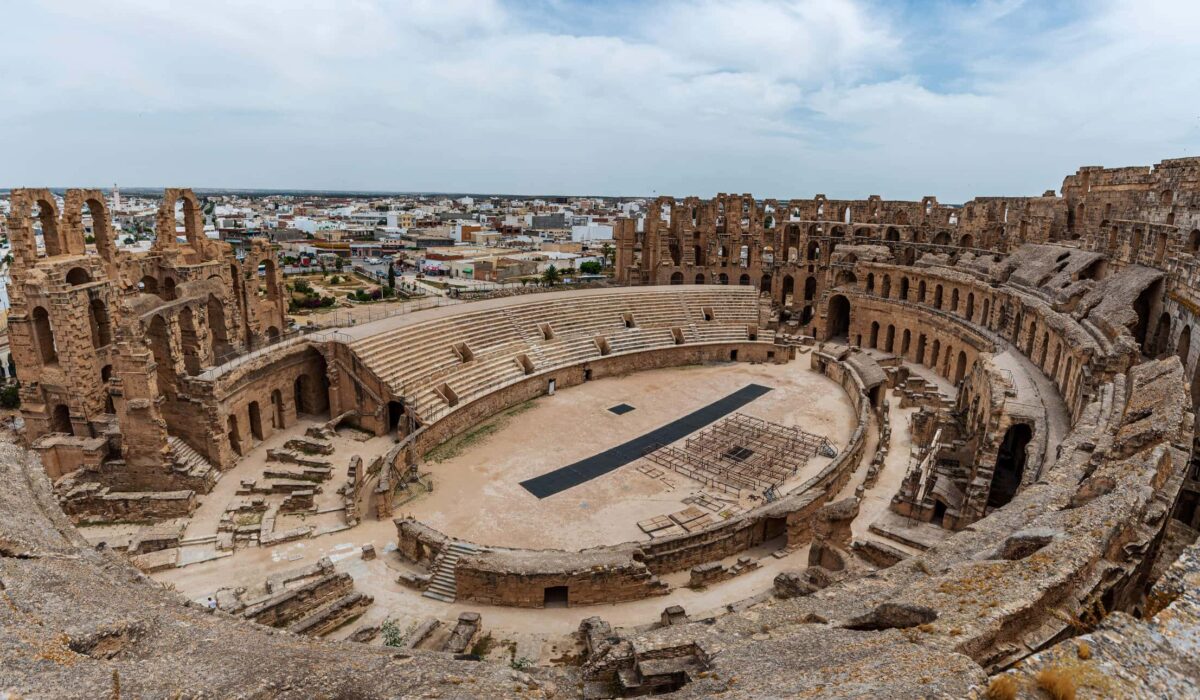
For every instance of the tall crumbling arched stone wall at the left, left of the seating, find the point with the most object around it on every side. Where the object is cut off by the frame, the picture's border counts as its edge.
(115, 338)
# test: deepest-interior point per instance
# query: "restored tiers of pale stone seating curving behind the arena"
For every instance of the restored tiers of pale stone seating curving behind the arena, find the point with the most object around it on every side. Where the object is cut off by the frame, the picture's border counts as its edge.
(417, 361)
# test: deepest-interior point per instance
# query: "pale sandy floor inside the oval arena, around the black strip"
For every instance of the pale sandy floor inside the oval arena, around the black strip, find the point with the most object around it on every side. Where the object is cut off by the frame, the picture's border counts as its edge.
(478, 495)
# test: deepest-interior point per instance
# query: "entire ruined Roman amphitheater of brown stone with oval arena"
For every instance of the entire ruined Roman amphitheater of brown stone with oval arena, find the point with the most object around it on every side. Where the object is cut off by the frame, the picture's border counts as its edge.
(797, 450)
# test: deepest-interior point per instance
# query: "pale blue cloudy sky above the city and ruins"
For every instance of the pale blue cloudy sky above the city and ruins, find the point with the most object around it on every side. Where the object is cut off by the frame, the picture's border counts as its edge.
(789, 99)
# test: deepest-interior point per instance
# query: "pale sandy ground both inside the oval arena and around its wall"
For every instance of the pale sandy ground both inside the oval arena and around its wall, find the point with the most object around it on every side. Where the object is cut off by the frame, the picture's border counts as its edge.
(478, 496)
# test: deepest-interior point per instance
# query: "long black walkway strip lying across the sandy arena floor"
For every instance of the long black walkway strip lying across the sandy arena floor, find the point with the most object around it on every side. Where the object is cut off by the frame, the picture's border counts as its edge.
(602, 464)
